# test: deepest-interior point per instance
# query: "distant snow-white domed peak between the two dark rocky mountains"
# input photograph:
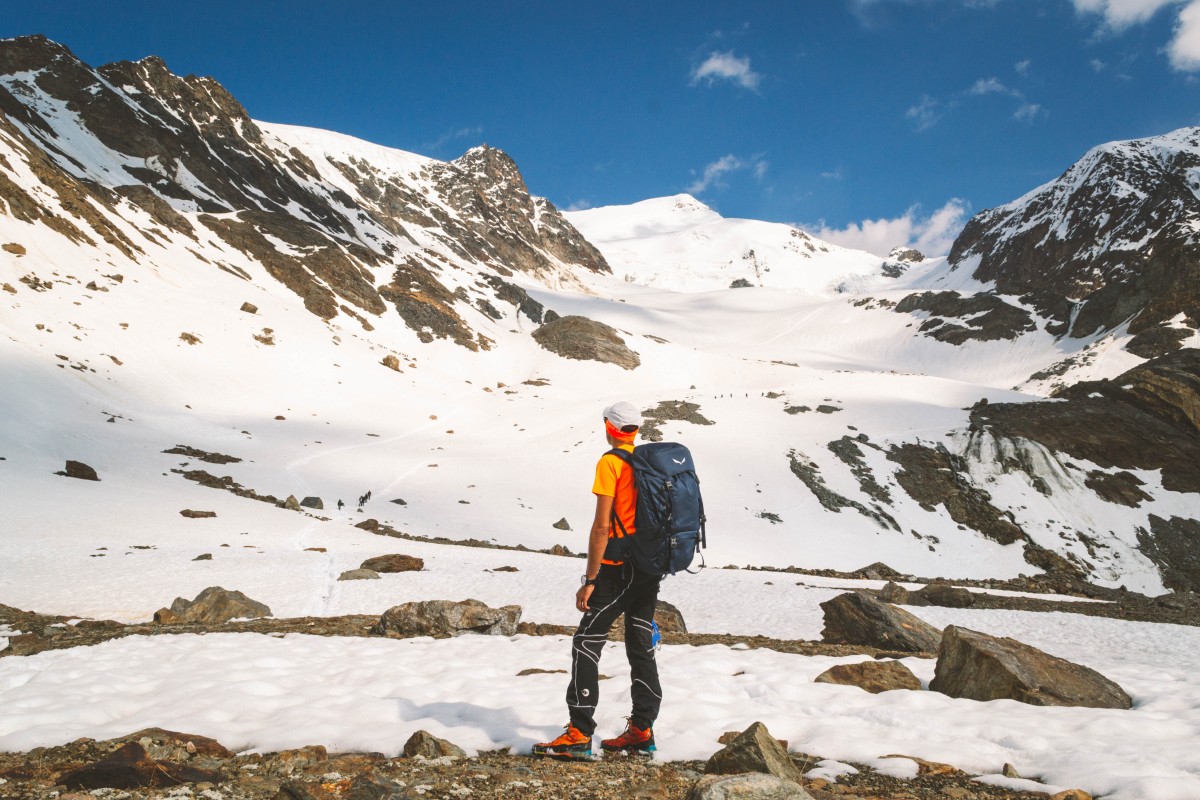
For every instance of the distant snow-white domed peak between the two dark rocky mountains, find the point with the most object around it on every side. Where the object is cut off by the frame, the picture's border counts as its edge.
(680, 244)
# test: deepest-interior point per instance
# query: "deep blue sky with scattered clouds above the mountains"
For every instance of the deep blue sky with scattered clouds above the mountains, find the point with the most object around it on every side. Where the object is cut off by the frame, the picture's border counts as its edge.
(869, 122)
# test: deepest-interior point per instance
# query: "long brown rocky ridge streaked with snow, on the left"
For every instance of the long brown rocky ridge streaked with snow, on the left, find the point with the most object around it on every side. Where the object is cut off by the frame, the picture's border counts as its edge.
(140, 158)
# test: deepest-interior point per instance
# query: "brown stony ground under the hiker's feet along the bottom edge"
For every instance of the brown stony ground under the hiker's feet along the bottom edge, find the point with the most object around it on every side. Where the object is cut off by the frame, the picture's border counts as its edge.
(159, 763)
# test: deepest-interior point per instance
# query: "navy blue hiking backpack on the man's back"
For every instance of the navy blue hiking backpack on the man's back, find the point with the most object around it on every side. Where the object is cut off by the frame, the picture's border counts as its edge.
(670, 522)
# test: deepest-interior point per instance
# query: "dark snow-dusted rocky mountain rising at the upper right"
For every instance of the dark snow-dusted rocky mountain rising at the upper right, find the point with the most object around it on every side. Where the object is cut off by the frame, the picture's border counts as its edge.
(1113, 231)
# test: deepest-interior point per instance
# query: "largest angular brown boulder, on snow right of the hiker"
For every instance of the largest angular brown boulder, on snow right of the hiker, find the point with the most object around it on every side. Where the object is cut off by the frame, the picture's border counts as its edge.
(985, 667)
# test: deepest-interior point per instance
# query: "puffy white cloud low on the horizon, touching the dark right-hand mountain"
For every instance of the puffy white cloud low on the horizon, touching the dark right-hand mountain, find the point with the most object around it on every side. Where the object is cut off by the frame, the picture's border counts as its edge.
(933, 234)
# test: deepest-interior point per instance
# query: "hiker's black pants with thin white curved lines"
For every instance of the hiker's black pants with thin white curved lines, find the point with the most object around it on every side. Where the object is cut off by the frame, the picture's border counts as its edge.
(619, 590)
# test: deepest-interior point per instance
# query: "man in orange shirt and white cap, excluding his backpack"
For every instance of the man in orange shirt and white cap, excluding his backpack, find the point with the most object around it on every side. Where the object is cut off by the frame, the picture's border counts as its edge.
(611, 588)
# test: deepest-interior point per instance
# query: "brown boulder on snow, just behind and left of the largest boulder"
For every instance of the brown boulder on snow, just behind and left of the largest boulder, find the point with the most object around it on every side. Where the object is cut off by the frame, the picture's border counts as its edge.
(855, 618)
